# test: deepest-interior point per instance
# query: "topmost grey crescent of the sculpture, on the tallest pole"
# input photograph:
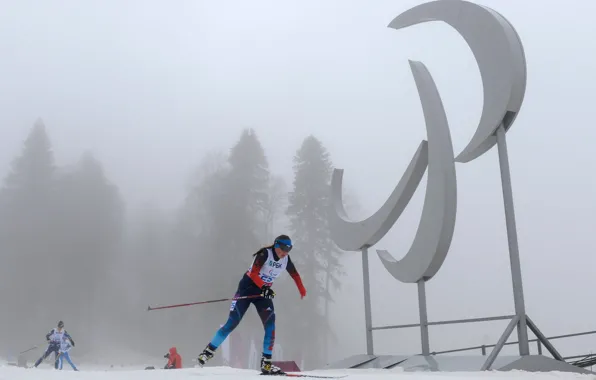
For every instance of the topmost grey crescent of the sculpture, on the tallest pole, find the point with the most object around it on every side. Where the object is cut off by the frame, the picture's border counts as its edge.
(499, 53)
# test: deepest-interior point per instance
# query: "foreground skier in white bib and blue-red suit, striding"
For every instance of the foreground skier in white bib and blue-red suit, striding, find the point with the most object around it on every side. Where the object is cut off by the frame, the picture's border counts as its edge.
(269, 262)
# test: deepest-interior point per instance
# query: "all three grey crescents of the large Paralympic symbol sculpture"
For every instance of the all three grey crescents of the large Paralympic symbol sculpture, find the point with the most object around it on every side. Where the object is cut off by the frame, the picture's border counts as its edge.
(499, 53)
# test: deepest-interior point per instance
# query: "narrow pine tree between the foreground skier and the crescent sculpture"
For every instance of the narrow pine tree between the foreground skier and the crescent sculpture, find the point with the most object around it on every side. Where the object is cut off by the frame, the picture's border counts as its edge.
(315, 254)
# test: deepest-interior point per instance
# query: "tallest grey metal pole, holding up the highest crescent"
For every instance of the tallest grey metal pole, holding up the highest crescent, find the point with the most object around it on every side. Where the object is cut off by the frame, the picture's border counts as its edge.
(518, 291)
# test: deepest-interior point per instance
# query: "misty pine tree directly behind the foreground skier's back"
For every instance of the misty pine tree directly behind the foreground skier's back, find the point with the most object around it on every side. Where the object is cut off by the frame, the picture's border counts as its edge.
(228, 208)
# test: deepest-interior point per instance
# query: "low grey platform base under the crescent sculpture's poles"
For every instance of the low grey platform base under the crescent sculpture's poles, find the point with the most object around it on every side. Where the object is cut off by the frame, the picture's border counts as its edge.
(447, 363)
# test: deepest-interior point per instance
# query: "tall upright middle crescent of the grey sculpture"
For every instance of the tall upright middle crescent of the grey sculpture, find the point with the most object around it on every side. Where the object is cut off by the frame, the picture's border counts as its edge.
(435, 230)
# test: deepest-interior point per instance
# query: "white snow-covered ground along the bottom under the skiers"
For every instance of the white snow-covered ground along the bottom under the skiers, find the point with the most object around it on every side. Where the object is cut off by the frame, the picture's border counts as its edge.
(226, 373)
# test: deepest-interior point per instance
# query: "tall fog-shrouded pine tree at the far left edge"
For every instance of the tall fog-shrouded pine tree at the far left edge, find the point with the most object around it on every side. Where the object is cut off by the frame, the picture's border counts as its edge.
(25, 235)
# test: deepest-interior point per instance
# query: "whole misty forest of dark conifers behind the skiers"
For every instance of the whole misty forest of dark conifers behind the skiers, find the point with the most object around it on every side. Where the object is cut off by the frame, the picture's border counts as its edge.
(73, 251)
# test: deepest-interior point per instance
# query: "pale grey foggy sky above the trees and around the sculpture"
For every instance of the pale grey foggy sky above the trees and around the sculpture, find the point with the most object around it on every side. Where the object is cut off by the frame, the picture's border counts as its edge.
(141, 83)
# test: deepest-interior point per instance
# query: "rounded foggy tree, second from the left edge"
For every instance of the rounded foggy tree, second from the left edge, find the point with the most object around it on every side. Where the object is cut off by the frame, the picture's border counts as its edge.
(89, 218)
